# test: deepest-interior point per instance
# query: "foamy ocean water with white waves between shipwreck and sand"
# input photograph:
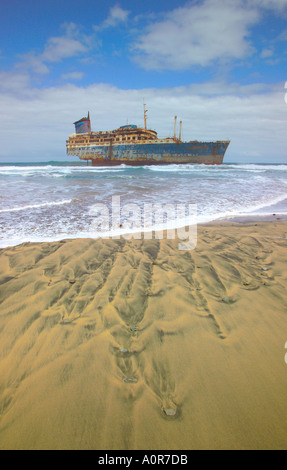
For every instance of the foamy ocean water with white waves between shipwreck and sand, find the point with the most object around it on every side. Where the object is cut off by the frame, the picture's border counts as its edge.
(43, 202)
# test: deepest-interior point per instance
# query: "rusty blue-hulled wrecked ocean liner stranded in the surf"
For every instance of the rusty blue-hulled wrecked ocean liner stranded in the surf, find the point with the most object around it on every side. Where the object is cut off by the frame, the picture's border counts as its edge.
(135, 146)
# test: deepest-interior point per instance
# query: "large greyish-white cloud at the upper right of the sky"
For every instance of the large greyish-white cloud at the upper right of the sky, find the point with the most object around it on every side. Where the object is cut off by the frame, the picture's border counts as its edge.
(197, 34)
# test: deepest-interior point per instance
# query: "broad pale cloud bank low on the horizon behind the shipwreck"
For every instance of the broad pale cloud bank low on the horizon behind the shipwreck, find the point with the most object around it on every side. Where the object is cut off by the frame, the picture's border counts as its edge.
(35, 125)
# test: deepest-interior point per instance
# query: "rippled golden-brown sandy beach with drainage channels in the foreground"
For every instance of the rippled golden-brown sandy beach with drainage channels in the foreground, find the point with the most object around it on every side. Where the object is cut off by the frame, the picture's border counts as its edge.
(133, 344)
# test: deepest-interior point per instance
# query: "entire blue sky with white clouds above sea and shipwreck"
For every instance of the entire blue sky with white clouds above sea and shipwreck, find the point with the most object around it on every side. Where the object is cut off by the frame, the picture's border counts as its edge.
(219, 65)
